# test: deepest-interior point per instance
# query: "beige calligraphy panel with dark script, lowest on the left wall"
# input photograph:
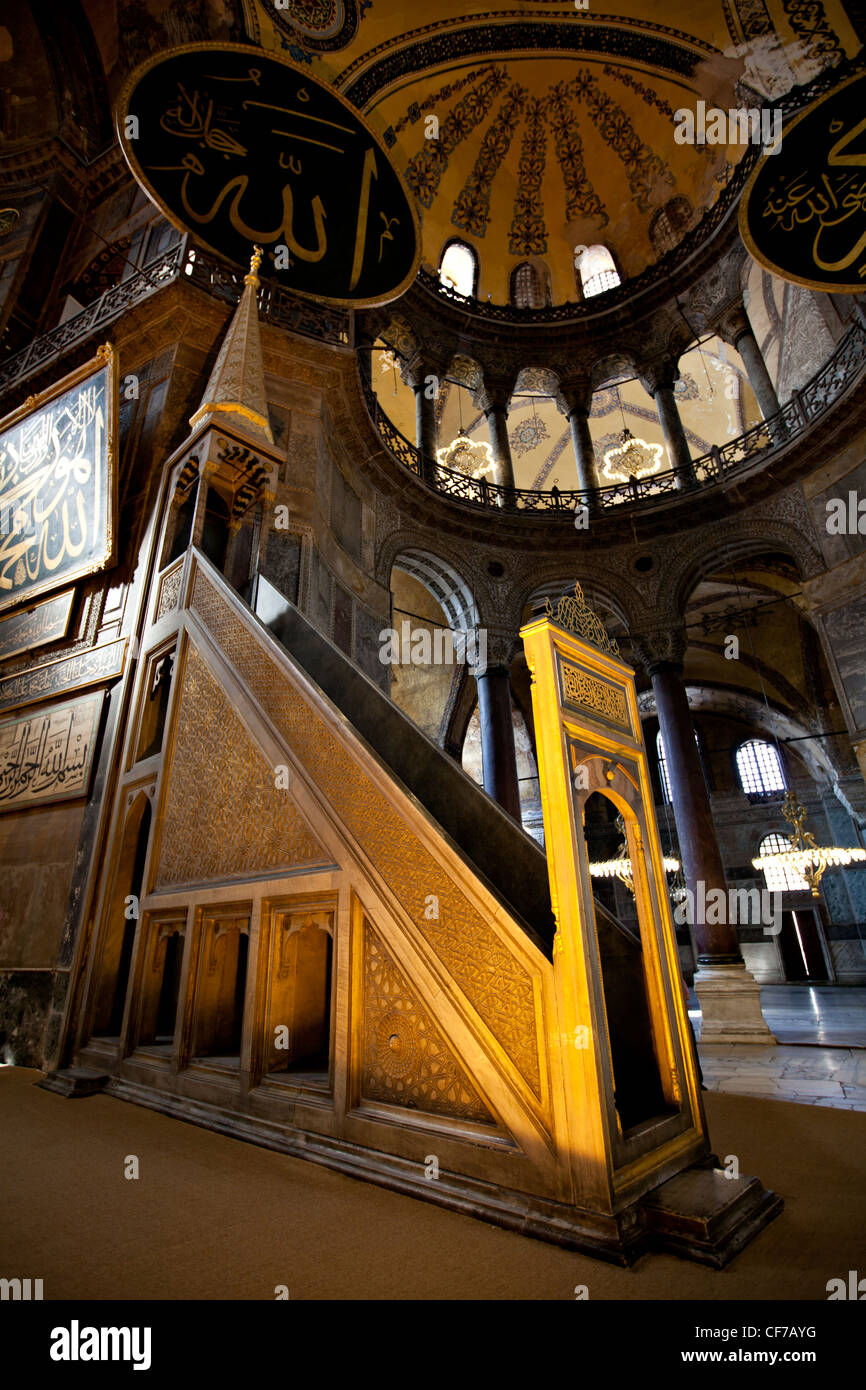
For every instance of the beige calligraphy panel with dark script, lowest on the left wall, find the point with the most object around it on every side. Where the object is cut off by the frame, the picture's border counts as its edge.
(49, 755)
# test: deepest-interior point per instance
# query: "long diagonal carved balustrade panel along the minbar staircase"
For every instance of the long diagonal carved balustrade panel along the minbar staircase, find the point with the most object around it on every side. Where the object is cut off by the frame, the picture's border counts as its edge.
(494, 982)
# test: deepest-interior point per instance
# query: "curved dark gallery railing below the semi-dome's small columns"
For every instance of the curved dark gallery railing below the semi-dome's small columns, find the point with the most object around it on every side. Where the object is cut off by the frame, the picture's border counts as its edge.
(826, 387)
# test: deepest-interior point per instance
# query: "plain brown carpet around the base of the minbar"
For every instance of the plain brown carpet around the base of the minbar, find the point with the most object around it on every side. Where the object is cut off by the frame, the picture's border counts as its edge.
(216, 1218)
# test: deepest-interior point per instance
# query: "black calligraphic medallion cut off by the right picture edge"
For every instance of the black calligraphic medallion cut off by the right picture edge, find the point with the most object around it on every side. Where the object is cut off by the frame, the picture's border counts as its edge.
(803, 213)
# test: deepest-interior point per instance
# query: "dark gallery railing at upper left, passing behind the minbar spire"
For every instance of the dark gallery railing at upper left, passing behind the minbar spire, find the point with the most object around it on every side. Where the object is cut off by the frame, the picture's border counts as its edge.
(181, 262)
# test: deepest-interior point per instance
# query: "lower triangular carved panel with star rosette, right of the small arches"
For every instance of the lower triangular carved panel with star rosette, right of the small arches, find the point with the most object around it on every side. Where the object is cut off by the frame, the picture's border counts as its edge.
(407, 1060)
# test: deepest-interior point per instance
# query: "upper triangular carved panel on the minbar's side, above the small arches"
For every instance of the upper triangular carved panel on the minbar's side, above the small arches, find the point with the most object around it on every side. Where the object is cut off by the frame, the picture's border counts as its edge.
(224, 817)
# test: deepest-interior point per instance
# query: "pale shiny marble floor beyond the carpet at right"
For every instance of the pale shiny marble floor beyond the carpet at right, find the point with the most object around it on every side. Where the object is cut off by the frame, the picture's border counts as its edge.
(821, 1058)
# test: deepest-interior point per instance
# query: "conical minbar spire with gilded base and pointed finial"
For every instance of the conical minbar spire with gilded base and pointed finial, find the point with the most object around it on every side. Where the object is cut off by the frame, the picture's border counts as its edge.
(236, 394)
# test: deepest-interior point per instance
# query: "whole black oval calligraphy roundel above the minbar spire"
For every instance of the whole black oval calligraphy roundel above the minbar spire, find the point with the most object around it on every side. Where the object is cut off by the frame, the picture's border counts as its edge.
(241, 148)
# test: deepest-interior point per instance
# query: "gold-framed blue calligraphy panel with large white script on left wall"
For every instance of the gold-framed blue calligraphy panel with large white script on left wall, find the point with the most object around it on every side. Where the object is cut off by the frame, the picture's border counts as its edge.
(58, 487)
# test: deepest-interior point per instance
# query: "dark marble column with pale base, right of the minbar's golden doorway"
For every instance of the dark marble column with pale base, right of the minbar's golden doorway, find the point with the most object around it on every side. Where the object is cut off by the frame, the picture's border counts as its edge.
(729, 995)
